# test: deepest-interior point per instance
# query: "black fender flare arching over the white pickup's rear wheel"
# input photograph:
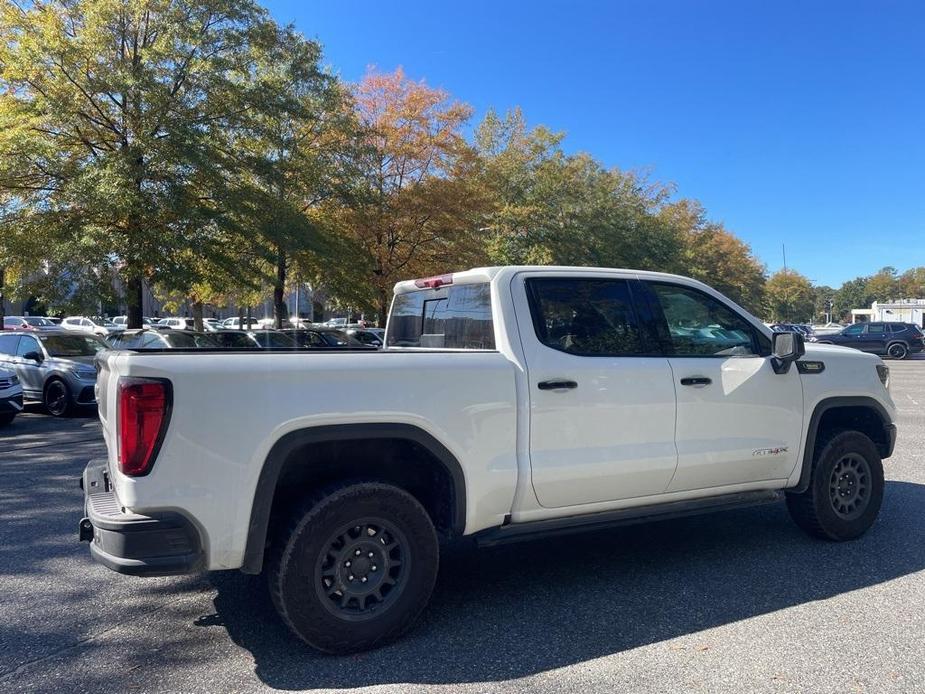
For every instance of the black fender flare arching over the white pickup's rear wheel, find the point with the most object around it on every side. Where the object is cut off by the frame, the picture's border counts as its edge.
(293, 441)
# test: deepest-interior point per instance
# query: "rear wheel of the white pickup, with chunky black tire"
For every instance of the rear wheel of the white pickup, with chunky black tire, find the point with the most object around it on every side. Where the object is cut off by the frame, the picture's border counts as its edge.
(353, 570)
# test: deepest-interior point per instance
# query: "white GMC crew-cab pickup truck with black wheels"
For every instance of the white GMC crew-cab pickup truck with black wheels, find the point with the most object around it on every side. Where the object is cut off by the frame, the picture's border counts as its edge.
(507, 403)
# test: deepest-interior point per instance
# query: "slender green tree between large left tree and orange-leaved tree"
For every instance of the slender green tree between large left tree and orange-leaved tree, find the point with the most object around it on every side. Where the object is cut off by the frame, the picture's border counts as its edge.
(301, 155)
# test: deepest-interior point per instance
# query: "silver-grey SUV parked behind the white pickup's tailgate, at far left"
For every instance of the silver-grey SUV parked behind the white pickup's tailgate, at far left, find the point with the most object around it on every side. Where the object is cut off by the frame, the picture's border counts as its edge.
(54, 367)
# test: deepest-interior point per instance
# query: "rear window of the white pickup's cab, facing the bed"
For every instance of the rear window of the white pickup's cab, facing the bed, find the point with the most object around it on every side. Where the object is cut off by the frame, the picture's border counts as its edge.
(450, 317)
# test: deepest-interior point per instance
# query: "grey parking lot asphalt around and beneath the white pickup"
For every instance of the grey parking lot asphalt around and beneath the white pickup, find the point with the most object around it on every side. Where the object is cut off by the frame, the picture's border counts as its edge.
(736, 601)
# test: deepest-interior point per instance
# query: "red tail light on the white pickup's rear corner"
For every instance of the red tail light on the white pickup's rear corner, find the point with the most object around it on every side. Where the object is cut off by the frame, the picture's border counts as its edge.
(144, 410)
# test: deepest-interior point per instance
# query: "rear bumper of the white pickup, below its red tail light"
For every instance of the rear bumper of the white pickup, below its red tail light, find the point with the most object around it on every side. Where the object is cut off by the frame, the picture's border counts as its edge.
(161, 544)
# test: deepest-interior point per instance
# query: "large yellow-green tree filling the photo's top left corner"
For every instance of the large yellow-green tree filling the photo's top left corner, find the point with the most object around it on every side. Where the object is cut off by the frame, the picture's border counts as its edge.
(118, 126)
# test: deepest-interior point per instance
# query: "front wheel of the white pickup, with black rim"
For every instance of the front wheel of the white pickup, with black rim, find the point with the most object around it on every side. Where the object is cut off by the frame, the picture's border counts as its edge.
(845, 490)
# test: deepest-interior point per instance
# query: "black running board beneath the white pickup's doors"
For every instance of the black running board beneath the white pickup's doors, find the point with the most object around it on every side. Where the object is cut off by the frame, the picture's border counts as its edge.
(514, 532)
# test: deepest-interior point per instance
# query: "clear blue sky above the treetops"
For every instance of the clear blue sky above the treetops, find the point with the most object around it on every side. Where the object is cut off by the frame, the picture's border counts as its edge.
(796, 123)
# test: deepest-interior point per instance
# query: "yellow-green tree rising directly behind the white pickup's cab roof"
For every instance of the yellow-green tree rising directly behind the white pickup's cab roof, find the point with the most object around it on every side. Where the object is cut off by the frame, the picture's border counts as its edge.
(552, 208)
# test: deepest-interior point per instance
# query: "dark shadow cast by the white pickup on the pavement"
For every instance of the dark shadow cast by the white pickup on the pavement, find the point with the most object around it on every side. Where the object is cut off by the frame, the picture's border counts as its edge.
(517, 610)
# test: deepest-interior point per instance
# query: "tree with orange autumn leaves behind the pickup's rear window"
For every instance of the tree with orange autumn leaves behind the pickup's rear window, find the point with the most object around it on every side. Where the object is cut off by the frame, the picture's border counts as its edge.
(415, 208)
